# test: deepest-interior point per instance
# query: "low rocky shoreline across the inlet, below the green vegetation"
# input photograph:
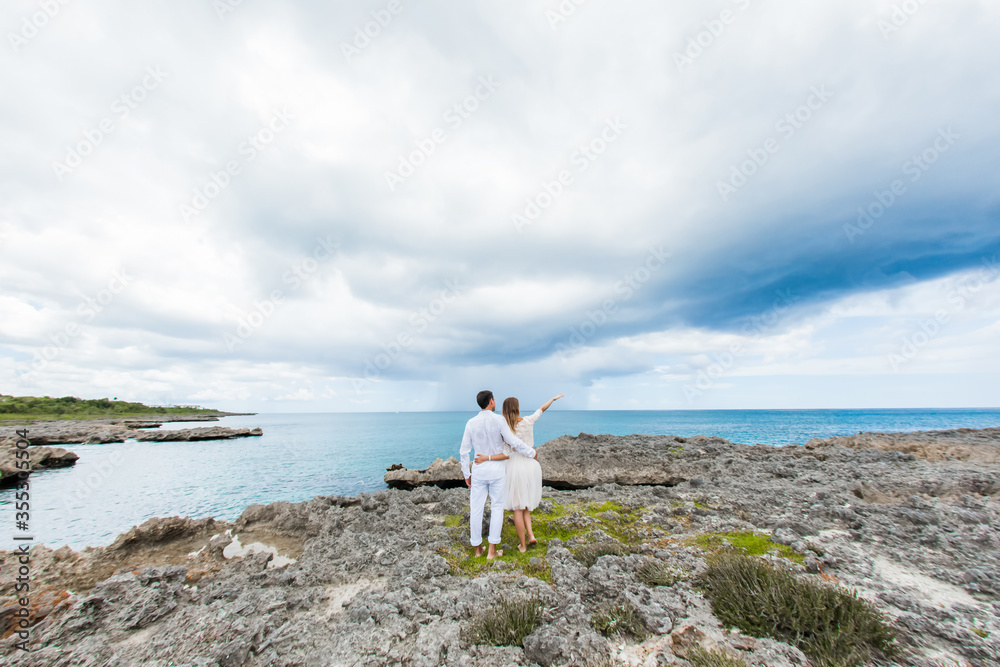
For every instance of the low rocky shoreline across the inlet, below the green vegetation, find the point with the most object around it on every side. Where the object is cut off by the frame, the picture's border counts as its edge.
(42, 434)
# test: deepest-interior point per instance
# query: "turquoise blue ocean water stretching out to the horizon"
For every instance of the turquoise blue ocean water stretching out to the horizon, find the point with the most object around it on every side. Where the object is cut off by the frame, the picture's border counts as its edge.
(116, 486)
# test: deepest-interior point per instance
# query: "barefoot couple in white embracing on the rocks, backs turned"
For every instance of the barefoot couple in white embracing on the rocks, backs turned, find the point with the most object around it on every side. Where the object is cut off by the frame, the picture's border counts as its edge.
(504, 468)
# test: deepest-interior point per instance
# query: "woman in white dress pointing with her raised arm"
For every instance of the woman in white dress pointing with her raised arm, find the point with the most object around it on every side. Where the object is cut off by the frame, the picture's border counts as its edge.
(524, 475)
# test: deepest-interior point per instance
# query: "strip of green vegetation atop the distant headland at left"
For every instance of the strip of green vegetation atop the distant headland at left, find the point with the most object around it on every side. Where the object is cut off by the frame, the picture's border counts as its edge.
(71, 407)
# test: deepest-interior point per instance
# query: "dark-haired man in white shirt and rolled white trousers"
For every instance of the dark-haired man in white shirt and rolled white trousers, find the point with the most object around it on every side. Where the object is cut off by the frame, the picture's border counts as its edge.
(486, 433)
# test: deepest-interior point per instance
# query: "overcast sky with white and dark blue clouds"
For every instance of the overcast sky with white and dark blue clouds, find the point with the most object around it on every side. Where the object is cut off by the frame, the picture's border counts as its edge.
(389, 205)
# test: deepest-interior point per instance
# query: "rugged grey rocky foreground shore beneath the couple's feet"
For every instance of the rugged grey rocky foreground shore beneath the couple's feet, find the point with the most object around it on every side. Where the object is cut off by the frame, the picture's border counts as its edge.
(386, 577)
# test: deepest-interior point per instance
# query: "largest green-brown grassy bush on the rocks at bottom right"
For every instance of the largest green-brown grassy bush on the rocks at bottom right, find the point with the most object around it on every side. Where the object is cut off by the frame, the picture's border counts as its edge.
(831, 625)
